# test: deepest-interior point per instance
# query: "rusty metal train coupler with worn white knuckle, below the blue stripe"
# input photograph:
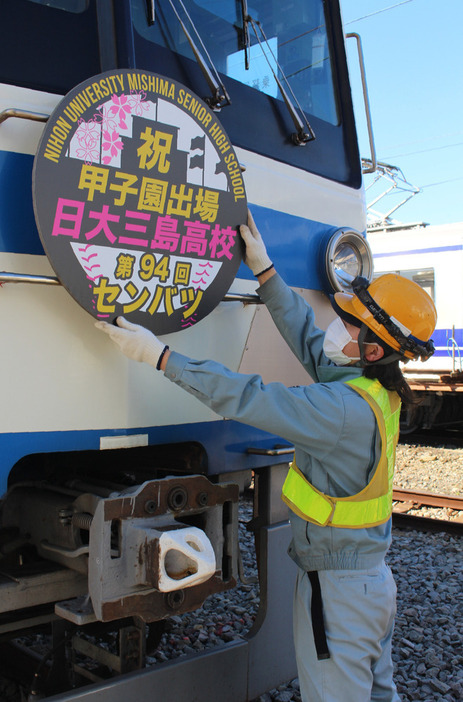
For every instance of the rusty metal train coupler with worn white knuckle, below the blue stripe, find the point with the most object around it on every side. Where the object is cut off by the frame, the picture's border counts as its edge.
(158, 549)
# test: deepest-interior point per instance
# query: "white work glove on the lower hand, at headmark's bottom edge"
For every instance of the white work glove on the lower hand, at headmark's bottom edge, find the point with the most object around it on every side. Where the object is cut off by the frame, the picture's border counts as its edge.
(135, 341)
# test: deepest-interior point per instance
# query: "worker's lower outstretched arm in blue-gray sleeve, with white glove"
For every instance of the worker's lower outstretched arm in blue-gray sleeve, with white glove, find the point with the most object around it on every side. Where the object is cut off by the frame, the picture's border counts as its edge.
(306, 416)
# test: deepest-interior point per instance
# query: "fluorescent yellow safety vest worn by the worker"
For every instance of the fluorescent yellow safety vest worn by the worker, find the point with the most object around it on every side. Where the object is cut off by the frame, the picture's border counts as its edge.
(372, 505)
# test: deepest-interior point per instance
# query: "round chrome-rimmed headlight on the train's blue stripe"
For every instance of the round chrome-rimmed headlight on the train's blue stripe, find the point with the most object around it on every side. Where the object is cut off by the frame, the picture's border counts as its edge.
(347, 255)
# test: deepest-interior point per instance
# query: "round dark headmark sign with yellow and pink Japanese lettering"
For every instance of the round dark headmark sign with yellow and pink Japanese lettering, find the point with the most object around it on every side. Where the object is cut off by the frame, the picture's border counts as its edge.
(138, 196)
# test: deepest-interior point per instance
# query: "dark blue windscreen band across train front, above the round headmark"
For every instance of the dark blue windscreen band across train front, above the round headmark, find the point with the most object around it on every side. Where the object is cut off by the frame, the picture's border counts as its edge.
(301, 40)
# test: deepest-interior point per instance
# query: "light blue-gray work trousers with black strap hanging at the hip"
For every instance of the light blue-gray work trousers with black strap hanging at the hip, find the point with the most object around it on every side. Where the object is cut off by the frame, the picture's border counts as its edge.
(359, 608)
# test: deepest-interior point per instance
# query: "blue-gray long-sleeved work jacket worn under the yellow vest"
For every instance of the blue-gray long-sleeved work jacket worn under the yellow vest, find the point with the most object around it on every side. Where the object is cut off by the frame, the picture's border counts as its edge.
(332, 427)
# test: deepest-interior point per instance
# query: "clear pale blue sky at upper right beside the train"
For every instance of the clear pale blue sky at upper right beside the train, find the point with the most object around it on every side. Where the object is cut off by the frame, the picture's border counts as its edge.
(413, 51)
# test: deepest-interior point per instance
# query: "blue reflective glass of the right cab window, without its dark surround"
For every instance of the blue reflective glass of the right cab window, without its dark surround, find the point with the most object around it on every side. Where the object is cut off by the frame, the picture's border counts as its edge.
(270, 44)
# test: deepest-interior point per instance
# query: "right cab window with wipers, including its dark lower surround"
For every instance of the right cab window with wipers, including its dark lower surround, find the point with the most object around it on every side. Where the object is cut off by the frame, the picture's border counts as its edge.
(298, 40)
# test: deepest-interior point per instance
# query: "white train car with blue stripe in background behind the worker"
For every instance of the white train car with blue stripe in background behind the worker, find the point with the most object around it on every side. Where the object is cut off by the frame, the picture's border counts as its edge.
(432, 256)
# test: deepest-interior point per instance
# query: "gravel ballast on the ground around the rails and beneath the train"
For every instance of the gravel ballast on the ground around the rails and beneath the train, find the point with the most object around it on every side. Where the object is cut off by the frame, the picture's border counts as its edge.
(428, 569)
